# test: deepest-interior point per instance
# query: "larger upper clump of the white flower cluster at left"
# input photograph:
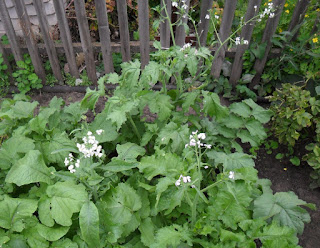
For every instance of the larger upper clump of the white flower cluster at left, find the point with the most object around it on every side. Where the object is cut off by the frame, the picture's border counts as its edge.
(90, 146)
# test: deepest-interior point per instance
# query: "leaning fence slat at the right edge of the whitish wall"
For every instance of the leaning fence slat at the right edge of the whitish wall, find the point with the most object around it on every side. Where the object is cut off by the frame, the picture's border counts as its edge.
(65, 36)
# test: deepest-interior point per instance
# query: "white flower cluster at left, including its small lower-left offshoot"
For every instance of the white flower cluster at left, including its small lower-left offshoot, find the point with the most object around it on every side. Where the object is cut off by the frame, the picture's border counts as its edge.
(89, 148)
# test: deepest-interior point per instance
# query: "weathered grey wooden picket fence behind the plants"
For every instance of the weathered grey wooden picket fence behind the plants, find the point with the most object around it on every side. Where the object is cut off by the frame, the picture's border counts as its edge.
(127, 47)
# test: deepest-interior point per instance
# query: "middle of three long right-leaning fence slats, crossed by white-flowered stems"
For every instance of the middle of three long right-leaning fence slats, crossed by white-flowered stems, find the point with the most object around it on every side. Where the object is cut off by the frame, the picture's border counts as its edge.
(246, 33)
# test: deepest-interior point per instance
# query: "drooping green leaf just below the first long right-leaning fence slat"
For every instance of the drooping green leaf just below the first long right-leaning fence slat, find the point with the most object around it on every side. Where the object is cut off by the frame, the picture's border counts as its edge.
(212, 106)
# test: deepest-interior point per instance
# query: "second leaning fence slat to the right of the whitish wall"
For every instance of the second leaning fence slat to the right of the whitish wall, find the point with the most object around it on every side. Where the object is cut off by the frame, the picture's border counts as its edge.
(85, 39)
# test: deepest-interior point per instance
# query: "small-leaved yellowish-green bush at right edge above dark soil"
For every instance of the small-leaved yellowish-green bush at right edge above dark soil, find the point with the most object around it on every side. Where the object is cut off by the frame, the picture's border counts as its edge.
(297, 117)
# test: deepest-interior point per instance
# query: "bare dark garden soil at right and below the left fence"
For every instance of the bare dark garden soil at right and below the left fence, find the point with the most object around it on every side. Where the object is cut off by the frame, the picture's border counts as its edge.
(284, 176)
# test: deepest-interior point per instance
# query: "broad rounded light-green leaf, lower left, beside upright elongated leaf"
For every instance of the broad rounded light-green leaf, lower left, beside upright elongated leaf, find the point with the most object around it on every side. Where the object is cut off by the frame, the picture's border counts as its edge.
(66, 198)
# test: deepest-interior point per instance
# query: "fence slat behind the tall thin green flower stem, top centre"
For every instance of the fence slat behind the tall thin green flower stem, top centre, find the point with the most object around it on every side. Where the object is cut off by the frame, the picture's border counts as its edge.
(164, 25)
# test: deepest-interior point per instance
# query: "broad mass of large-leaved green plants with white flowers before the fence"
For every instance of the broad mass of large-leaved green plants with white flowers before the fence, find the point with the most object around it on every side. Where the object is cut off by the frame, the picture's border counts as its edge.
(140, 174)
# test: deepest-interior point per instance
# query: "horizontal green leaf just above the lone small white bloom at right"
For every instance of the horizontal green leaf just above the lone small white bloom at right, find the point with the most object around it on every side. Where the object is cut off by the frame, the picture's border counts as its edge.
(231, 161)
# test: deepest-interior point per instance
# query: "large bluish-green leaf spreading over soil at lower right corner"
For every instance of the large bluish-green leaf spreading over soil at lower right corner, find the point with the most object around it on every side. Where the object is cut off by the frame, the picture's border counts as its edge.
(283, 207)
